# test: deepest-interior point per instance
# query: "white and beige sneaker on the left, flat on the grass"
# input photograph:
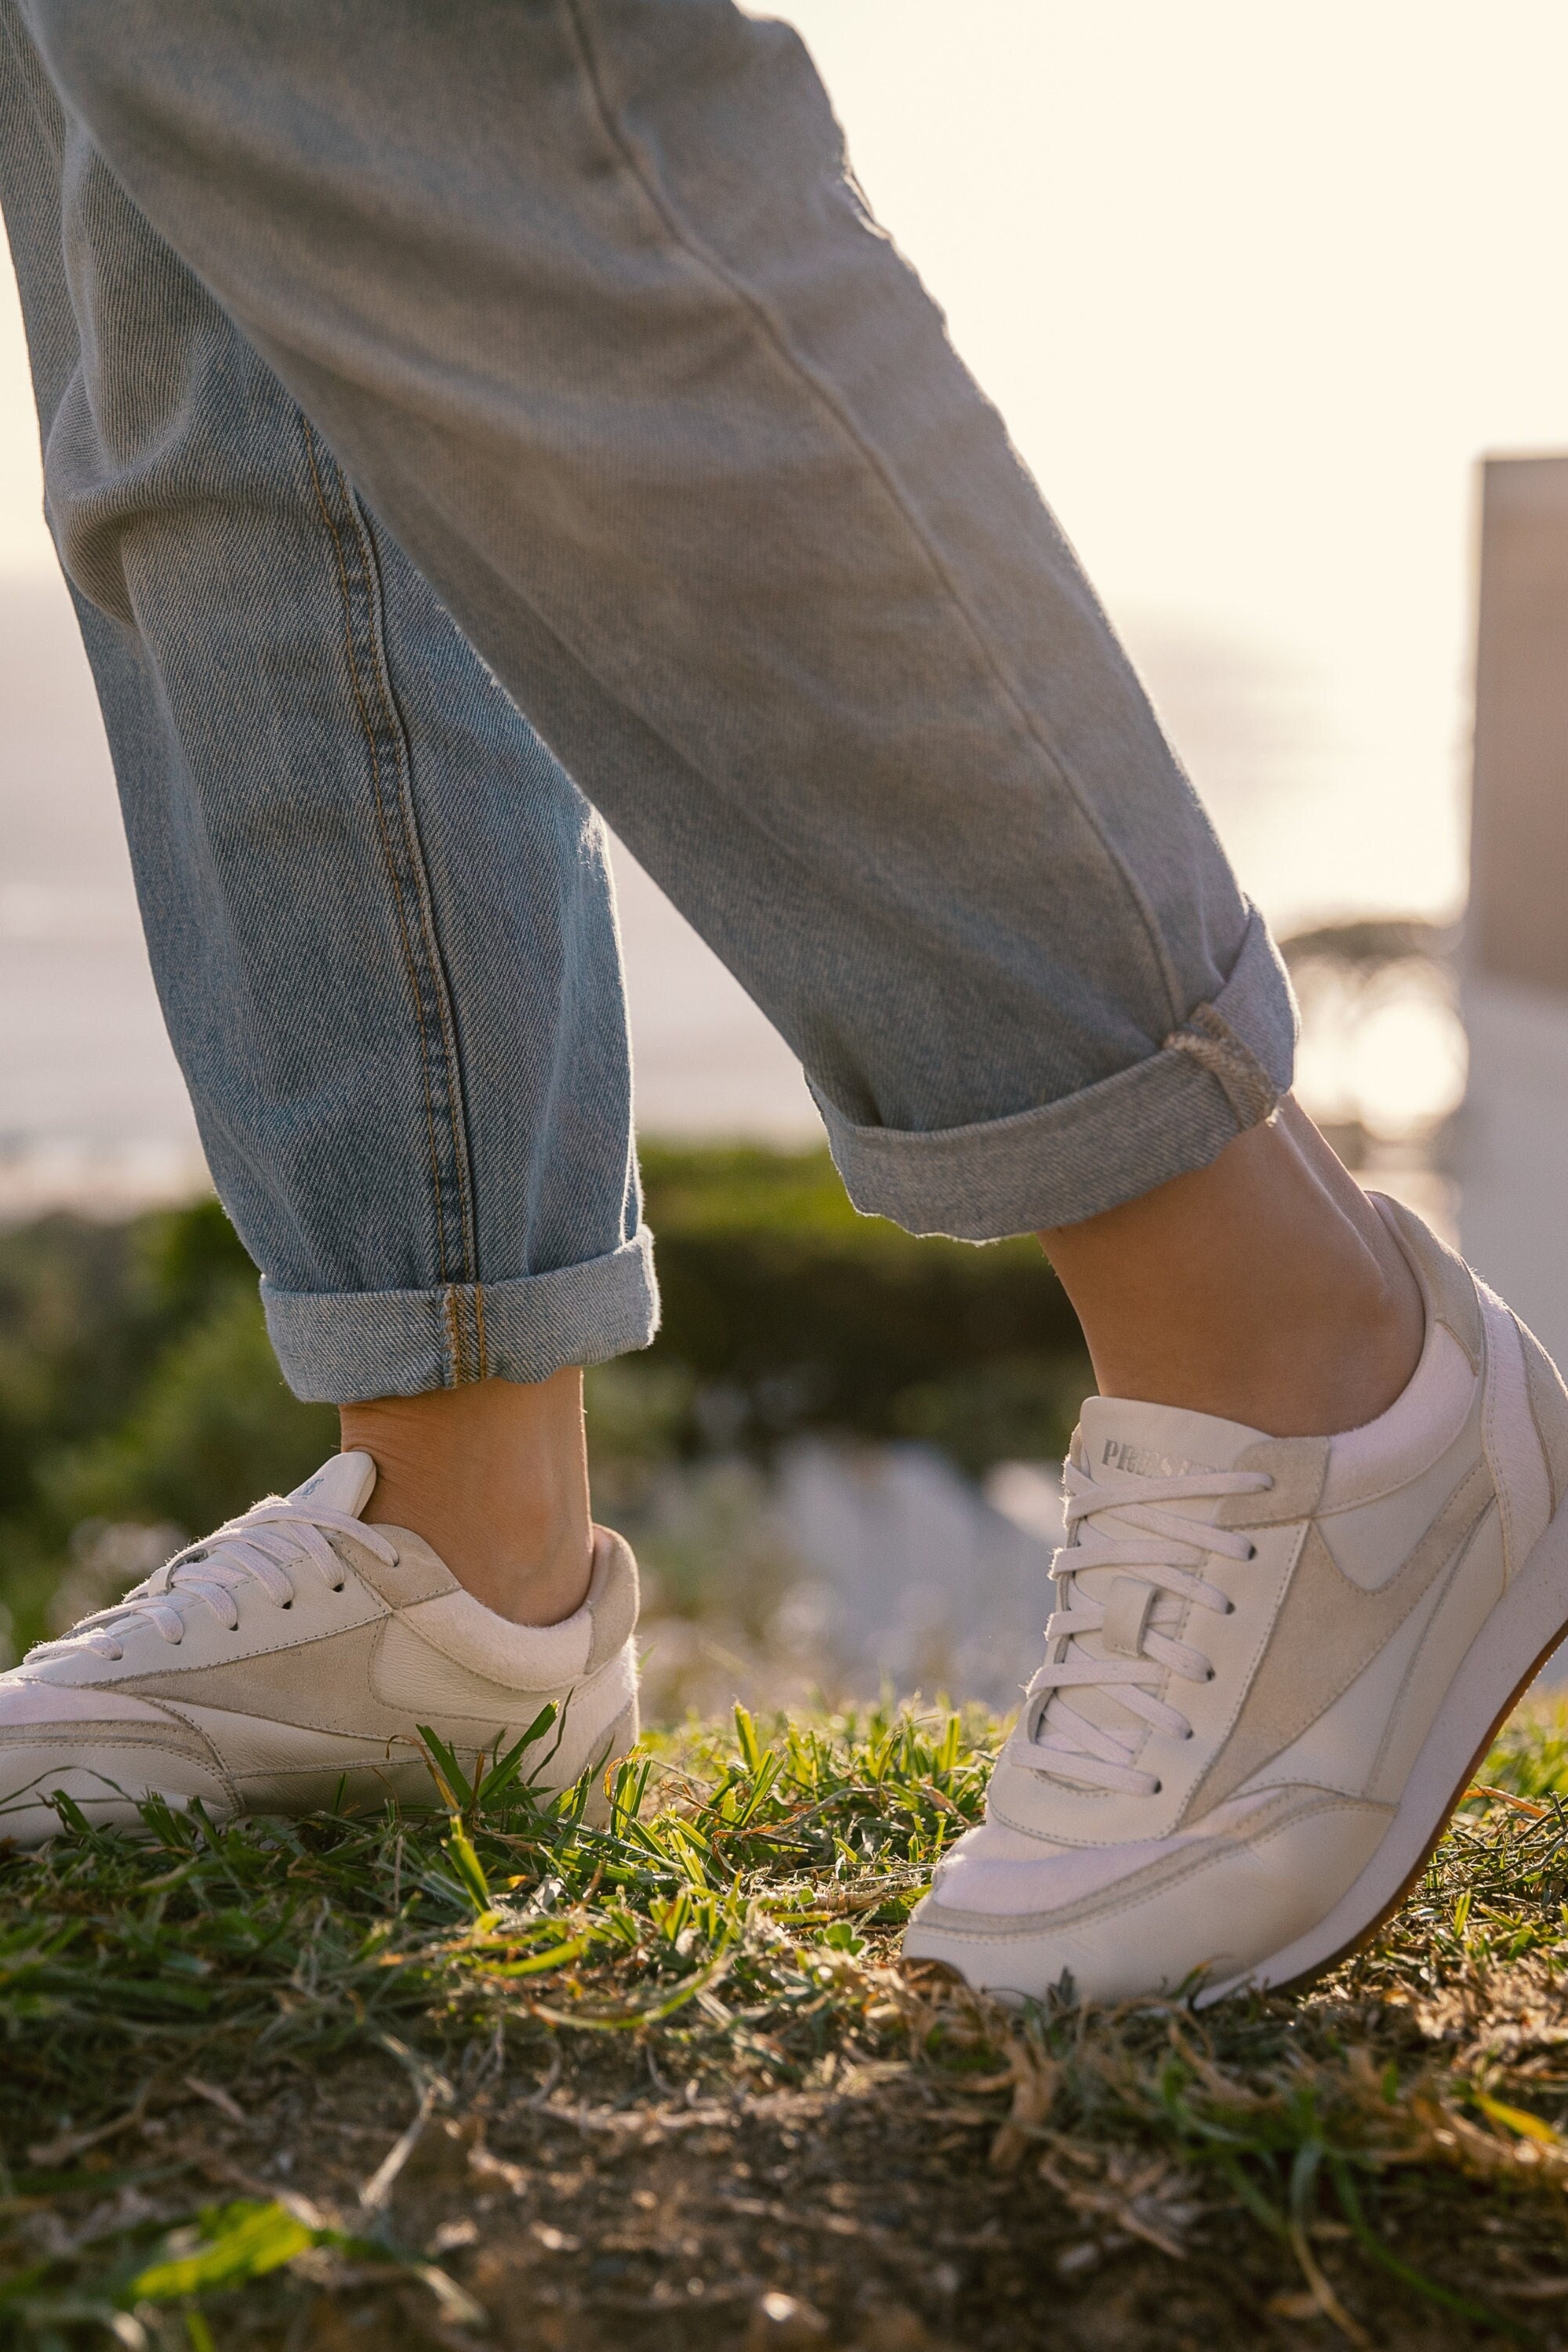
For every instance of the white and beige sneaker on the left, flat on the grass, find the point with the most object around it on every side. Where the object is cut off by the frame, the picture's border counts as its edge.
(288, 1664)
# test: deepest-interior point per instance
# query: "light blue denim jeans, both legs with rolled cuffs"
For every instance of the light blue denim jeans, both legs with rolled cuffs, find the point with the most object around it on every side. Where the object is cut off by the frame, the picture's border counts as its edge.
(424, 387)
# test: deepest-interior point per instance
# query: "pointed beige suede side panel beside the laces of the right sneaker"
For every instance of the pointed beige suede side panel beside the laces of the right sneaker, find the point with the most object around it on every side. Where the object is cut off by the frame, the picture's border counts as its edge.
(1327, 1631)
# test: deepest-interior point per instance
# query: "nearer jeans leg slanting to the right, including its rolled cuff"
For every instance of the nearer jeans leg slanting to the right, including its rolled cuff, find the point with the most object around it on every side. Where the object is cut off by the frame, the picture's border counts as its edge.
(589, 309)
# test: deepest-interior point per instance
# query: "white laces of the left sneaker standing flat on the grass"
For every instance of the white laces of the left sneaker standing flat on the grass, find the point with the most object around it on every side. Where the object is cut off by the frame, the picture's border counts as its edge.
(246, 1553)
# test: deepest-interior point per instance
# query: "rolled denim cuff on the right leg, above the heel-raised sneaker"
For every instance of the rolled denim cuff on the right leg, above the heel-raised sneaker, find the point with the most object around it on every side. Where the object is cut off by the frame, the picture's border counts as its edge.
(1217, 1076)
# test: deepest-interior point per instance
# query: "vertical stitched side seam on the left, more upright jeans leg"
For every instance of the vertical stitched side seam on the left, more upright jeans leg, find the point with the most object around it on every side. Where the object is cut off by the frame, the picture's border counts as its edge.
(384, 730)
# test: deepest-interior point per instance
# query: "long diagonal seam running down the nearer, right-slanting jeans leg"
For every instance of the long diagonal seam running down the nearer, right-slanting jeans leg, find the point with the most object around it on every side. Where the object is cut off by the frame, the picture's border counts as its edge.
(833, 403)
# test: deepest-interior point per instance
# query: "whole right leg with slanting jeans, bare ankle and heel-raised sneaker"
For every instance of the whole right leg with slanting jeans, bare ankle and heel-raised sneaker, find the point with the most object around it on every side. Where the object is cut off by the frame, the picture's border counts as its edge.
(587, 302)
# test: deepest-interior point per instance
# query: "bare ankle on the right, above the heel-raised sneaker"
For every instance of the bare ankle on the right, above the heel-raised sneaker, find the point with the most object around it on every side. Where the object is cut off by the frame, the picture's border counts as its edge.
(1264, 1290)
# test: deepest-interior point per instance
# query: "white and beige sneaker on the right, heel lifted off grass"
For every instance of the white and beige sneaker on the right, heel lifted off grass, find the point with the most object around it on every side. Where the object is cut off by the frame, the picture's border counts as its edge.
(1271, 1676)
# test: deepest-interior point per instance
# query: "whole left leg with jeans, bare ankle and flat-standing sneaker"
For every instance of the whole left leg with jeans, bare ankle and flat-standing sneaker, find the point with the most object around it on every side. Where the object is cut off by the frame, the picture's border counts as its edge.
(384, 937)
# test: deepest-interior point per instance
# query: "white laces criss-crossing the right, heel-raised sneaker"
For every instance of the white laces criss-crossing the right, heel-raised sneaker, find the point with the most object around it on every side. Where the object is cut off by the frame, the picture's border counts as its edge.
(1118, 1523)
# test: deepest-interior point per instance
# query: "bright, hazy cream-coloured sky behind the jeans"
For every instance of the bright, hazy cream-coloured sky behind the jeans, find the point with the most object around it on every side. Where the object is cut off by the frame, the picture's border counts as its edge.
(1254, 288)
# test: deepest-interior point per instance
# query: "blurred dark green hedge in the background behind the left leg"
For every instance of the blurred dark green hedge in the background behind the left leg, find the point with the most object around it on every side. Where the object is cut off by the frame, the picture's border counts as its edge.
(138, 1384)
